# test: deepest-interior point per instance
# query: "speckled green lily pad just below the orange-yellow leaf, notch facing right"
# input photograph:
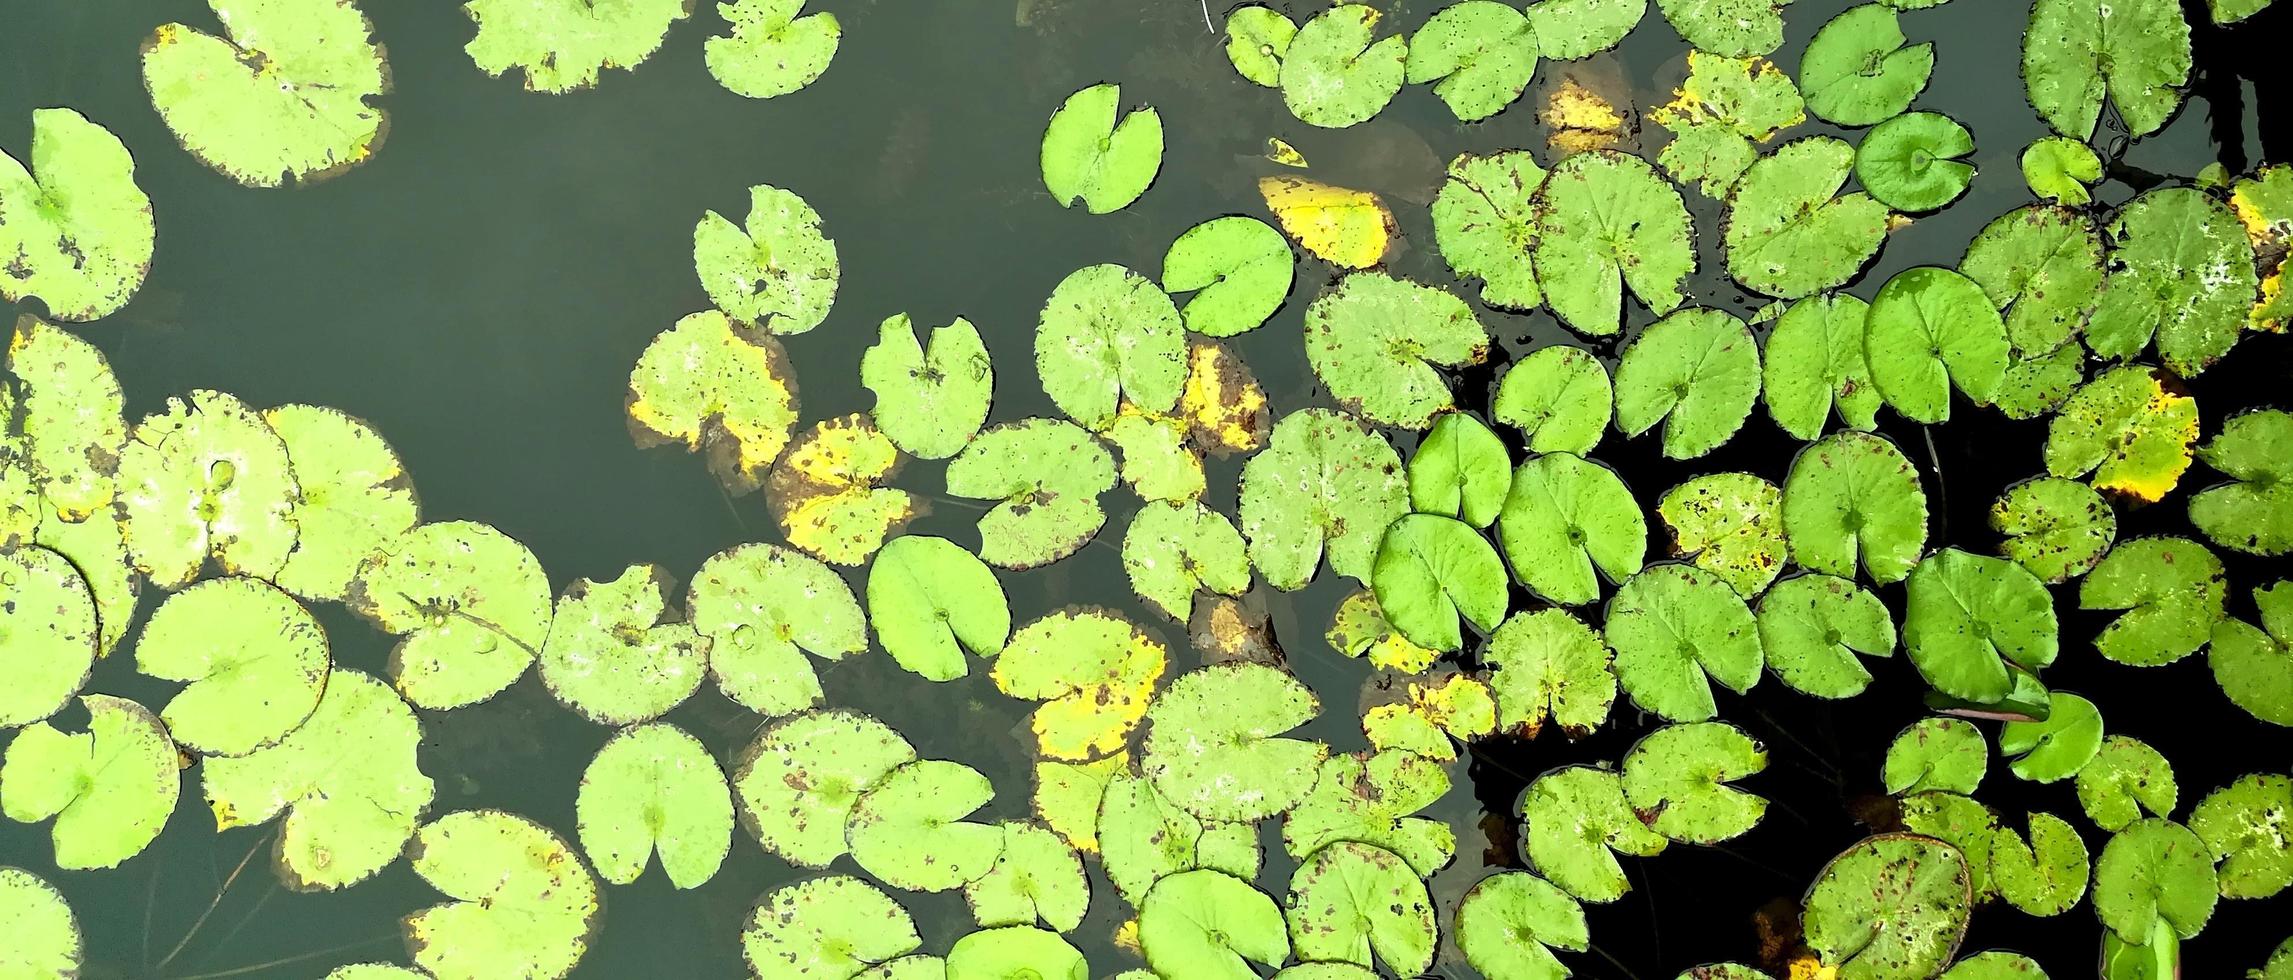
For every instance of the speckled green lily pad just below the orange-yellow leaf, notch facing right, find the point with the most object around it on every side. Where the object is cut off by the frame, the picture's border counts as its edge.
(1377, 341)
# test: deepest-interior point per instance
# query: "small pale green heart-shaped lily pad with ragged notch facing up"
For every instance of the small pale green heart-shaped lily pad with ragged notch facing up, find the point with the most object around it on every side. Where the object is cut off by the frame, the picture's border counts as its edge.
(930, 400)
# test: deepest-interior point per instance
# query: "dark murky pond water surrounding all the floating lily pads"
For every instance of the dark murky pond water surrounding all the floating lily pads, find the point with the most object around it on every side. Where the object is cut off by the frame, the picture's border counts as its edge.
(483, 288)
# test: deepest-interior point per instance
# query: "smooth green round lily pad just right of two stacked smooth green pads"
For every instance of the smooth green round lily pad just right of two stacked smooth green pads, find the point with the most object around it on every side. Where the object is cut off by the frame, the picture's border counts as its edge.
(1570, 524)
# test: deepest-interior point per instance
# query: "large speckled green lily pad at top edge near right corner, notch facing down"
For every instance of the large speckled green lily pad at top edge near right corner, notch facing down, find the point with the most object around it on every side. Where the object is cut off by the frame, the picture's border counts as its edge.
(2076, 52)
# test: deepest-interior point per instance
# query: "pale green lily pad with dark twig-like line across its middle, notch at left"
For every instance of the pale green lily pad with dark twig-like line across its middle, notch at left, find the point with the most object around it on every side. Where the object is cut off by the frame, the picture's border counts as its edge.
(469, 605)
